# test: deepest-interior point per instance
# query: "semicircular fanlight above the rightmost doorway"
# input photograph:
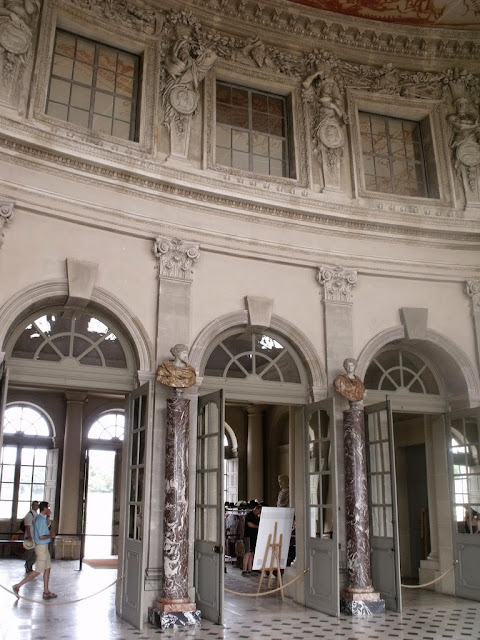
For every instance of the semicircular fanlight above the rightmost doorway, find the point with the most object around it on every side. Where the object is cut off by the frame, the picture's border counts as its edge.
(400, 370)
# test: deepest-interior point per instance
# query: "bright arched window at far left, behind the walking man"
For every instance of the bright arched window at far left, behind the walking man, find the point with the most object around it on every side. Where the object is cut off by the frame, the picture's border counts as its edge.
(27, 436)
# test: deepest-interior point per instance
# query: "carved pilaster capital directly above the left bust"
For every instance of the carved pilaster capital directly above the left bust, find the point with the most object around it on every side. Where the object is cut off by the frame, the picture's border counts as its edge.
(175, 257)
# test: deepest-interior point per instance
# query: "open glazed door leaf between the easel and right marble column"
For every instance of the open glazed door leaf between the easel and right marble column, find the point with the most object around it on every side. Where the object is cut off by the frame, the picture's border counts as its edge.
(321, 545)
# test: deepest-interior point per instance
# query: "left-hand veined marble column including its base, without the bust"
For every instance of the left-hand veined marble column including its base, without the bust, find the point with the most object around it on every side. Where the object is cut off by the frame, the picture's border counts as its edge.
(174, 608)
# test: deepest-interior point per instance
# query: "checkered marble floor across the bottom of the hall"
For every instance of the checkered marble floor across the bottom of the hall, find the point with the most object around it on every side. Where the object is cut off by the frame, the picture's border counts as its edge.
(426, 616)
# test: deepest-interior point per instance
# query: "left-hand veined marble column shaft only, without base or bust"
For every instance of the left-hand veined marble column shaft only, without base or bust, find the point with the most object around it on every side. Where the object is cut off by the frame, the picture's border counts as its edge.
(175, 584)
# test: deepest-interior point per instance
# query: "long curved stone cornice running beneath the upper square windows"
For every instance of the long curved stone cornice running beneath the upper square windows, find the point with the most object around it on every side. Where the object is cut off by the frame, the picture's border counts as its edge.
(242, 197)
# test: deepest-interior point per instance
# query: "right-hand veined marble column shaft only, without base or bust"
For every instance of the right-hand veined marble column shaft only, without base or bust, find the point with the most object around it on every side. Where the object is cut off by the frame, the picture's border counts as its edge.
(356, 502)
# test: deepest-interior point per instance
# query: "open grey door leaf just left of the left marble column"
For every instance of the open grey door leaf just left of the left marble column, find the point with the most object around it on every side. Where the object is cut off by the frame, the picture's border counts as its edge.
(138, 446)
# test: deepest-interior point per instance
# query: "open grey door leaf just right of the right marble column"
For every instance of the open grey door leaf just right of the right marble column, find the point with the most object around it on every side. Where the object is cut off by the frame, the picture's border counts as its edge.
(384, 543)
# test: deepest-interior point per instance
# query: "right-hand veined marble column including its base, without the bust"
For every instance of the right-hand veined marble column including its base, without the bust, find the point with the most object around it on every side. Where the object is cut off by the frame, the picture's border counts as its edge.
(359, 597)
